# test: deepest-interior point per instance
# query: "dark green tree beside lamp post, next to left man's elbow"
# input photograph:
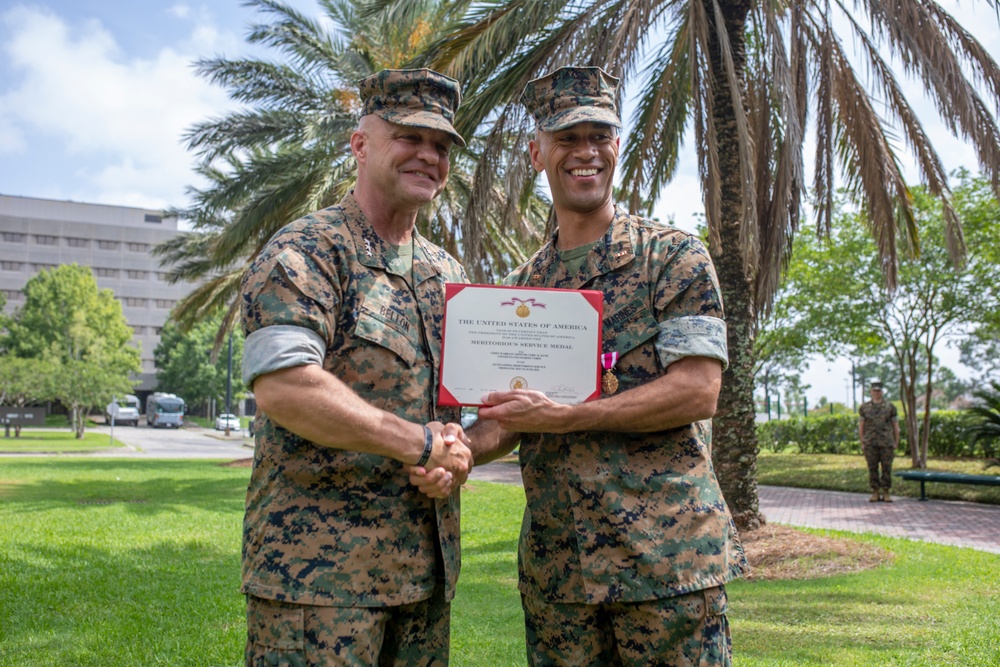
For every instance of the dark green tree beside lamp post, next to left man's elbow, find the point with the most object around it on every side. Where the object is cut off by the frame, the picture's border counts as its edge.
(190, 365)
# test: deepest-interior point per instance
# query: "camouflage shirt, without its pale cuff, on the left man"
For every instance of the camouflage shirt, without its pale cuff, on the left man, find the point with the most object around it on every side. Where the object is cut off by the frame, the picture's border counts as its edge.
(332, 527)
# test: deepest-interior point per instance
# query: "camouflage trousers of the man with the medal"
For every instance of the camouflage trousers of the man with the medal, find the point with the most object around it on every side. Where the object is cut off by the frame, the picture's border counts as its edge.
(690, 629)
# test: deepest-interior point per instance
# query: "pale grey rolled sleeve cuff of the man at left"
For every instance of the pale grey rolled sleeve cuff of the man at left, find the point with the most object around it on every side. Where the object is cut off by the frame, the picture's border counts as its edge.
(280, 346)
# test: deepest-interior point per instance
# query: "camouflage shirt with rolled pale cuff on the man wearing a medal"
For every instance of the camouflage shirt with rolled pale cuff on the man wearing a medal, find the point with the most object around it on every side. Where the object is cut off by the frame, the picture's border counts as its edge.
(628, 517)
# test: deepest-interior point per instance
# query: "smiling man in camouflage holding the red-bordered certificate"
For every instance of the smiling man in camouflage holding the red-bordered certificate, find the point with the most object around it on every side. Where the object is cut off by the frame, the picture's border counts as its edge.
(626, 542)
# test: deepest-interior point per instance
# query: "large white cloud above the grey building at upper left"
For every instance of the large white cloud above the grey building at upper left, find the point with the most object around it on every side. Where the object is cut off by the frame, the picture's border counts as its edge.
(121, 118)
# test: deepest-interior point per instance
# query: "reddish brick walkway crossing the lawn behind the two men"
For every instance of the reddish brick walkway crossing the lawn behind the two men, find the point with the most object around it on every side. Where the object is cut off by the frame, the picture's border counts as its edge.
(942, 521)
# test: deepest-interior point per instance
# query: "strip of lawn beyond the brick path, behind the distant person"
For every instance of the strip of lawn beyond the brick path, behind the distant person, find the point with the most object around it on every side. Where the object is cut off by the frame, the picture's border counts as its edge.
(848, 472)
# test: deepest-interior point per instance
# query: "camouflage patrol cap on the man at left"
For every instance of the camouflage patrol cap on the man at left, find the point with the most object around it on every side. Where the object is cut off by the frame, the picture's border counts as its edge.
(413, 97)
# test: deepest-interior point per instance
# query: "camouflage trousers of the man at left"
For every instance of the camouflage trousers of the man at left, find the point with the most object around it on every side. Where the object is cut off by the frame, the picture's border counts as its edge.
(291, 635)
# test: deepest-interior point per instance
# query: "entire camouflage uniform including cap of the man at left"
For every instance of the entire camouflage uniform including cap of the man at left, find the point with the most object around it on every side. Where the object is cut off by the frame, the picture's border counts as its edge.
(343, 559)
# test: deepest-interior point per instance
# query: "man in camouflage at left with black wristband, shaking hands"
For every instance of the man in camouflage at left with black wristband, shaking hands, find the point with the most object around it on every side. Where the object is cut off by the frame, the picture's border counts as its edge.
(344, 561)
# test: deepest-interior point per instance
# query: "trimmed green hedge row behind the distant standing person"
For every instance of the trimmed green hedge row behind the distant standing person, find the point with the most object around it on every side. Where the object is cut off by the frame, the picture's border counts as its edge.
(838, 434)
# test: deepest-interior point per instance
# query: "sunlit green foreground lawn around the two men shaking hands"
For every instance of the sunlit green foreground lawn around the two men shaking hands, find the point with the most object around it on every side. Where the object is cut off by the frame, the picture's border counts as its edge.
(136, 563)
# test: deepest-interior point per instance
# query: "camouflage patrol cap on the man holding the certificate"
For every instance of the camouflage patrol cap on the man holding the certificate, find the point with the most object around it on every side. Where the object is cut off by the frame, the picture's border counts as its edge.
(572, 95)
